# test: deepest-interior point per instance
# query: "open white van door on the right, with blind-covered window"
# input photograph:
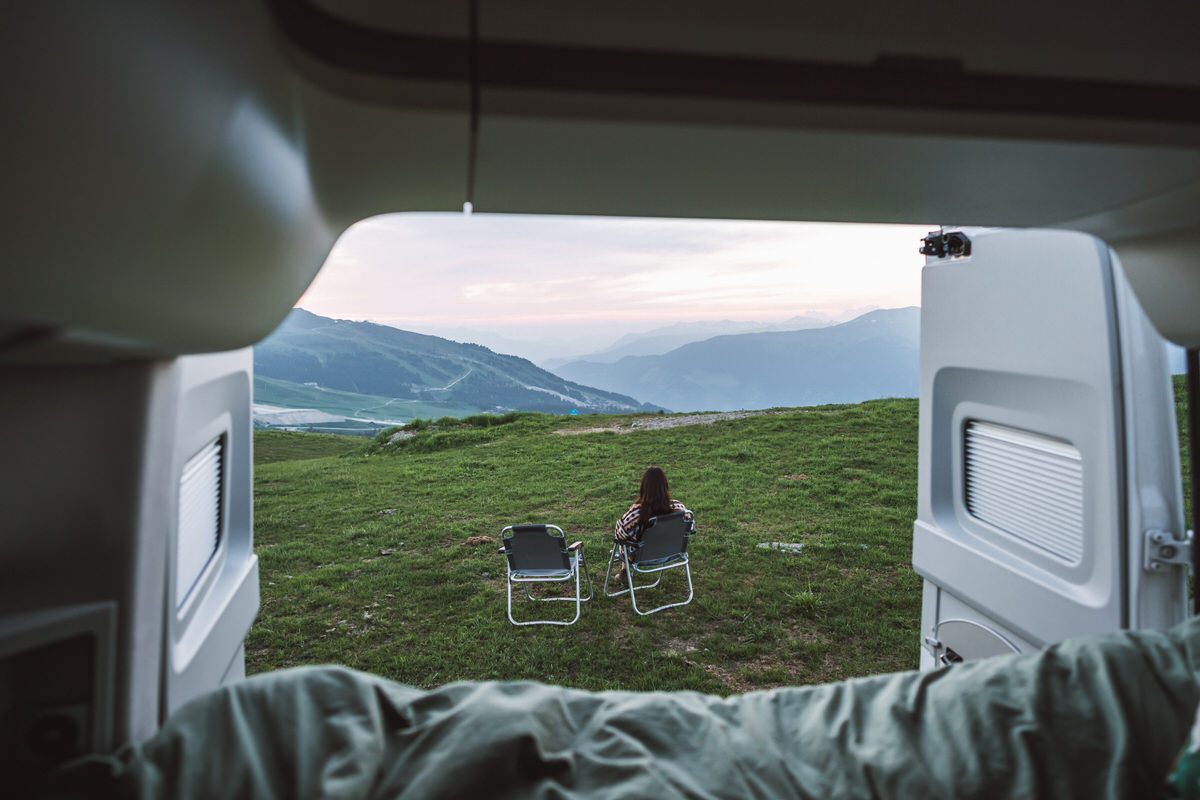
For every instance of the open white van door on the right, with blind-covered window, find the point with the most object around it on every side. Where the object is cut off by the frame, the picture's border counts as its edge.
(1049, 479)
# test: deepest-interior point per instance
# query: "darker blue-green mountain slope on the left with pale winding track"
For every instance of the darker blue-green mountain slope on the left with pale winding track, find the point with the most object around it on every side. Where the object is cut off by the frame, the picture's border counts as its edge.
(387, 363)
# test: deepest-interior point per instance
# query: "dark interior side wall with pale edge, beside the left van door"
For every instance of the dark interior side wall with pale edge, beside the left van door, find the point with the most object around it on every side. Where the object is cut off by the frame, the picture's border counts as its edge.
(86, 488)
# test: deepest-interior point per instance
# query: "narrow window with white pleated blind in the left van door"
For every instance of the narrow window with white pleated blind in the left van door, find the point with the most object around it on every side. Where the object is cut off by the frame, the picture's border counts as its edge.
(200, 516)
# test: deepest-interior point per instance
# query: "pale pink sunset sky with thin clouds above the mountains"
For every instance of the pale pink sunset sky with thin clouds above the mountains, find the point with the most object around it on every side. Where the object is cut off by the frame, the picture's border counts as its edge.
(581, 282)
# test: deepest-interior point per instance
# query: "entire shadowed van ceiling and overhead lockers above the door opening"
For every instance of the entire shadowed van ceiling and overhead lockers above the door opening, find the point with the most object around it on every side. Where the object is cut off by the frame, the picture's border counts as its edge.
(182, 173)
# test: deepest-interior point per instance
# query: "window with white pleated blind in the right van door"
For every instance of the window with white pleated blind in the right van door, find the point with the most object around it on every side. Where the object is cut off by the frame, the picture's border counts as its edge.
(1028, 486)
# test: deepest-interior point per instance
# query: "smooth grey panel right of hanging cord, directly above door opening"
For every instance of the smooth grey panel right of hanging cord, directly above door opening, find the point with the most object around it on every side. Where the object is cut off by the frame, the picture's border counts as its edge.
(638, 165)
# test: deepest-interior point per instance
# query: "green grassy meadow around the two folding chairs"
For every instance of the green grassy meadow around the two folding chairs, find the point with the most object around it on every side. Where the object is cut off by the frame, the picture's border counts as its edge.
(367, 561)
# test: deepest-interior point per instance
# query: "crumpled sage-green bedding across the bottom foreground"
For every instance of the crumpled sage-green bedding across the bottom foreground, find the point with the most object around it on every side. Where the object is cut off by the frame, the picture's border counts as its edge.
(1102, 717)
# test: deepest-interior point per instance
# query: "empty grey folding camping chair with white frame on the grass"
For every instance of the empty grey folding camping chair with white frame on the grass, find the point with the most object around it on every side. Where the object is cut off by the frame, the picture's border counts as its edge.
(539, 555)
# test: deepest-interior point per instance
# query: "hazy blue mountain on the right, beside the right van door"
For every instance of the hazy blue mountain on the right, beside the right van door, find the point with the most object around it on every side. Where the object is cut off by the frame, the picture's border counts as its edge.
(874, 356)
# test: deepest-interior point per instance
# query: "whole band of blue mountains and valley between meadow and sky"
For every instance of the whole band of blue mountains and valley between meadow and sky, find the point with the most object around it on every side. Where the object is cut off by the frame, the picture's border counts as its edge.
(322, 375)
